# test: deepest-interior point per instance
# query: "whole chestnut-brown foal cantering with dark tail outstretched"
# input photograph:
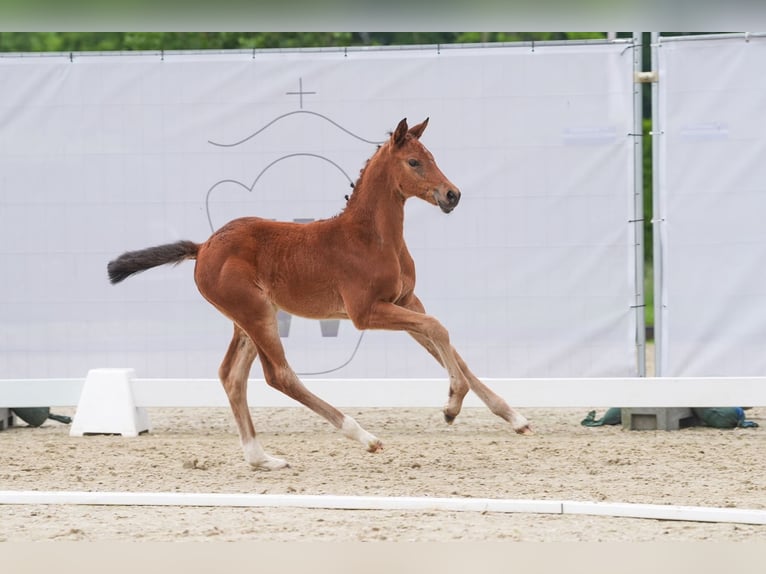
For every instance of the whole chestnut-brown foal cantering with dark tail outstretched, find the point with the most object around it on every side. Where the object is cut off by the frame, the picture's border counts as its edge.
(354, 265)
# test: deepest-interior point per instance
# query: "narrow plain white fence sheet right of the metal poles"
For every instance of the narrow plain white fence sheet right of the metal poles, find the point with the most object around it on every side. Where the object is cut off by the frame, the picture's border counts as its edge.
(712, 206)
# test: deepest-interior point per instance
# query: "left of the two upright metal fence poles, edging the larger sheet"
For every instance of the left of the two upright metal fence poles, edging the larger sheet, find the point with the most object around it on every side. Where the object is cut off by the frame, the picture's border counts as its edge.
(638, 205)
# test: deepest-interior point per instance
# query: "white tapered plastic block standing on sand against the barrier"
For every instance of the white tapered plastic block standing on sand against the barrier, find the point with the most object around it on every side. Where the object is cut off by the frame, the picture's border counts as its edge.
(106, 405)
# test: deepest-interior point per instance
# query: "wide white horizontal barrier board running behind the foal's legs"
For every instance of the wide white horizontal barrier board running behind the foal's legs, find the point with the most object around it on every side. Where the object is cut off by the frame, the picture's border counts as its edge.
(393, 393)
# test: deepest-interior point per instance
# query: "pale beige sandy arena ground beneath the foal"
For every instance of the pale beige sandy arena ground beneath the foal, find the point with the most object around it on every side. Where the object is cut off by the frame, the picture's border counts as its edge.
(196, 450)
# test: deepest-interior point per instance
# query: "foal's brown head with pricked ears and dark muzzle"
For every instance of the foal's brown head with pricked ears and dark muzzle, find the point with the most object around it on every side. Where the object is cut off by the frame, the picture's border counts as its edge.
(418, 174)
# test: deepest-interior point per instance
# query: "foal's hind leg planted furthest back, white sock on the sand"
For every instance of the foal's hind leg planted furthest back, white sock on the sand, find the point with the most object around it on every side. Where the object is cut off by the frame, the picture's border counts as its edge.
(234, 372)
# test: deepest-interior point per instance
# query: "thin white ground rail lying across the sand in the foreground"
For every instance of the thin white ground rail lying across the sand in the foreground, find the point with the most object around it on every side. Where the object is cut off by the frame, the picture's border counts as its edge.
(332, 502)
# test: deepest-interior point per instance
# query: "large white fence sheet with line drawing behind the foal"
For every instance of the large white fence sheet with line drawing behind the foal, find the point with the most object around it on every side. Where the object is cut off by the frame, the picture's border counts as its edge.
(533, 273)
